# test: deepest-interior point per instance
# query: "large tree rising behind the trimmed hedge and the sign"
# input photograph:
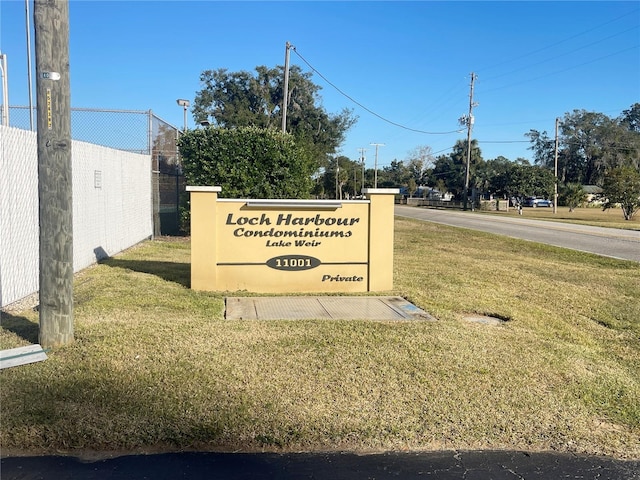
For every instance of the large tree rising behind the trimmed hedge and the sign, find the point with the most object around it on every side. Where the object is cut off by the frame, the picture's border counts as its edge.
(241, 99)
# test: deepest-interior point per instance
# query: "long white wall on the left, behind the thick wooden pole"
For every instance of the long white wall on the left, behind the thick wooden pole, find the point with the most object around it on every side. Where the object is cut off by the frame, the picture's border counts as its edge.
(112, 207)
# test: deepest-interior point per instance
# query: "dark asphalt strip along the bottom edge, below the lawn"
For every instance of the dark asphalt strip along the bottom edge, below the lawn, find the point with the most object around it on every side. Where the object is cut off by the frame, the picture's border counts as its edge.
(445, 465)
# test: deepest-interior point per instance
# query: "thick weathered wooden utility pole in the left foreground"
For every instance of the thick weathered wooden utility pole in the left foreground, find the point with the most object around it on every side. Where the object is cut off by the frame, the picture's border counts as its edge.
(51, 21)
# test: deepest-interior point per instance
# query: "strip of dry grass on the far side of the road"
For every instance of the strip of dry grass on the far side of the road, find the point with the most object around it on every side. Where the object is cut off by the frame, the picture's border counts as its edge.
(611, 218)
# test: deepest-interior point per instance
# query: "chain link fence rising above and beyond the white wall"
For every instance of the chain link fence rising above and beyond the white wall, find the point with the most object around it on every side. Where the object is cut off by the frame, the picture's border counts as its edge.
(134, 131)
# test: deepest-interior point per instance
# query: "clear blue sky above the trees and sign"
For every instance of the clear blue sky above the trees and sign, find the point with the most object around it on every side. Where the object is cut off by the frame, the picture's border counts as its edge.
(409, 62)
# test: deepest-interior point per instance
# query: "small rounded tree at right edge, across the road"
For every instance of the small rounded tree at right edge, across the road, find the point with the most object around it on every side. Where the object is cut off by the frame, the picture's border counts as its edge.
(621, 187)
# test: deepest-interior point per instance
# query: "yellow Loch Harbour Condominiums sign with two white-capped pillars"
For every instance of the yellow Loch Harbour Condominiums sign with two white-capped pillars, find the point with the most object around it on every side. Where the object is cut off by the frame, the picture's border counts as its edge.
(291, 246)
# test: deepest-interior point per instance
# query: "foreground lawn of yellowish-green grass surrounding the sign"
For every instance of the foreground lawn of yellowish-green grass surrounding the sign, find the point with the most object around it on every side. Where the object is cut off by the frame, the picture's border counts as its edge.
(156, 366)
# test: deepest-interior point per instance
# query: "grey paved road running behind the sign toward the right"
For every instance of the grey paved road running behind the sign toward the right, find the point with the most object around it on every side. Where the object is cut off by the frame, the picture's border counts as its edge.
(609, 242)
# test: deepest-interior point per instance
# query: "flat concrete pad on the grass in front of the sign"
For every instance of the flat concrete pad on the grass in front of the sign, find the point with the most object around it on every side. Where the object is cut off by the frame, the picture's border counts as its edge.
(326, 307)
